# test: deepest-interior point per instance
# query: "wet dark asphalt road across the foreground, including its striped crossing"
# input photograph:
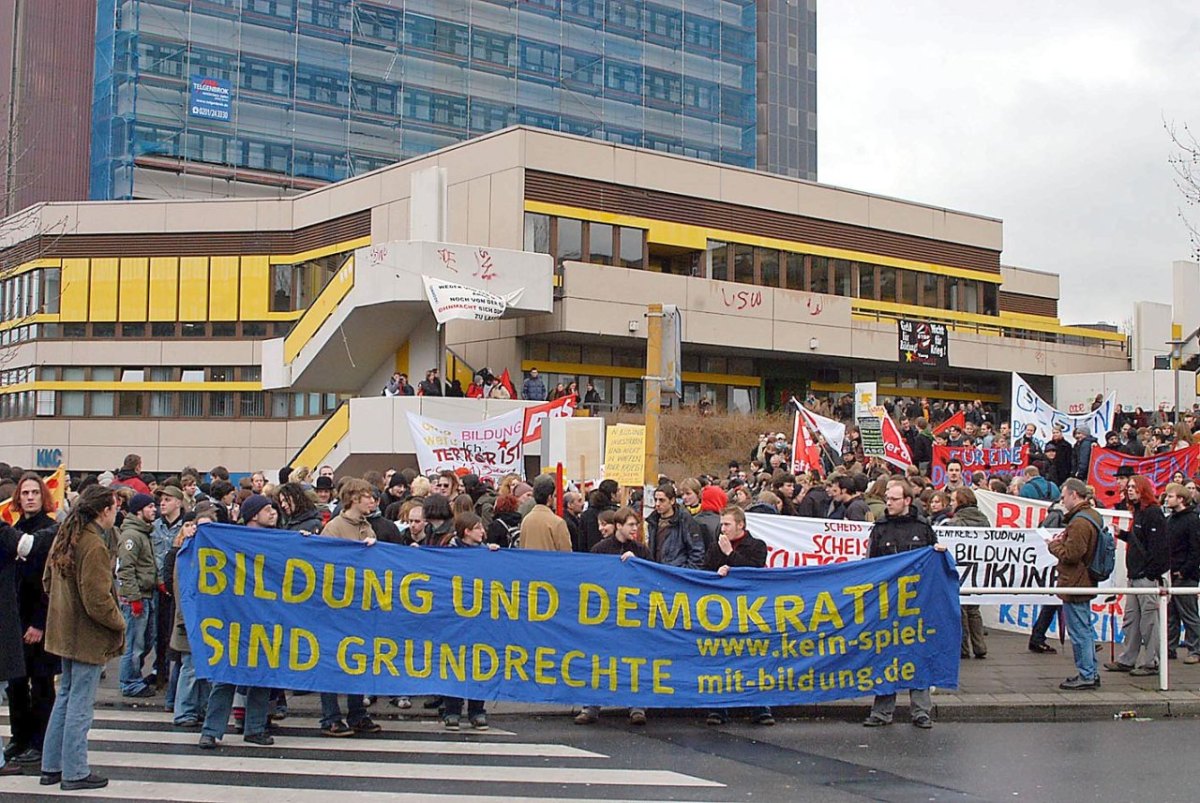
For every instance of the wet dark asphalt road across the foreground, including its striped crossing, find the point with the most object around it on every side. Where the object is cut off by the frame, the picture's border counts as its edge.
(549, 758)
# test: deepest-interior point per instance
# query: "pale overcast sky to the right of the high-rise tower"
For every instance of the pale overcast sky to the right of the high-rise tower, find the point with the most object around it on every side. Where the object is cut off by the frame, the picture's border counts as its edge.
(1048, 116)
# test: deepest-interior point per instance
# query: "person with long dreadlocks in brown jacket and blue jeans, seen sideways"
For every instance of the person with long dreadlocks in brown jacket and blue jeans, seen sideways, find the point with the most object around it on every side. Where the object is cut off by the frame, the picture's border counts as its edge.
(85, 627)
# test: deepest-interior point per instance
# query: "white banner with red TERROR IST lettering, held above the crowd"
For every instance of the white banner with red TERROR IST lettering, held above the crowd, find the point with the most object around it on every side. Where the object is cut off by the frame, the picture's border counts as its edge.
(489, 448)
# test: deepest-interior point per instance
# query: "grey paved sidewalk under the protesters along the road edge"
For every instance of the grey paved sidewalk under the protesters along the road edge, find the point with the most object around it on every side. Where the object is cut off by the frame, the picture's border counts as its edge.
(1012, 685)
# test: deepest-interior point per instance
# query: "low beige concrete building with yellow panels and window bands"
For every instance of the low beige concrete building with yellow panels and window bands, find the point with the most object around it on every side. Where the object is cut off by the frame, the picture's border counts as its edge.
(145, 326)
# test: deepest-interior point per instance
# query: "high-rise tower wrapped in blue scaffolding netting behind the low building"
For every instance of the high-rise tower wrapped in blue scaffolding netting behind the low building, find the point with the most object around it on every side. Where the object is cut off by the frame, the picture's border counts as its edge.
(251, 98)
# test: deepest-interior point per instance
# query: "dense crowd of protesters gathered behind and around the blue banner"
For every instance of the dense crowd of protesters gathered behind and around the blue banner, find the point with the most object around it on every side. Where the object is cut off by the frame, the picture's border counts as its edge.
(98, 580)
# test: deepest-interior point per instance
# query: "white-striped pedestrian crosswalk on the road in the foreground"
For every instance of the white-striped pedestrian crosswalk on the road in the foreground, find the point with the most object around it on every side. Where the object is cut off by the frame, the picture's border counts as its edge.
(147, 759)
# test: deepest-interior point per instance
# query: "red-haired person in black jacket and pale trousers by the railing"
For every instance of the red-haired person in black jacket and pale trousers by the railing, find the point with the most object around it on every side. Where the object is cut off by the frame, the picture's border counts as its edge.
(1148, 559)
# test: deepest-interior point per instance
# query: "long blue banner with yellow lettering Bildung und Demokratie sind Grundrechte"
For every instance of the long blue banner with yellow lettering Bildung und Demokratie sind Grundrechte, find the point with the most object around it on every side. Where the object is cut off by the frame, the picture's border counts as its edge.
(283, 610)
